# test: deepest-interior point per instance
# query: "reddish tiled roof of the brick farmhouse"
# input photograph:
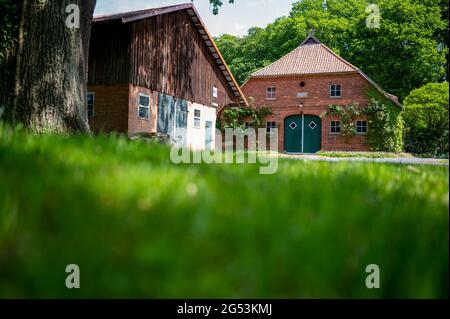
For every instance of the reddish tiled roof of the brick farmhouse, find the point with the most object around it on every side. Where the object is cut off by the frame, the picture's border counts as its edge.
(313, 57)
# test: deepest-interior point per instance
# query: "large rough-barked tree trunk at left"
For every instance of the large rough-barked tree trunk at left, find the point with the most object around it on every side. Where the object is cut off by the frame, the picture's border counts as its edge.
(50, 69)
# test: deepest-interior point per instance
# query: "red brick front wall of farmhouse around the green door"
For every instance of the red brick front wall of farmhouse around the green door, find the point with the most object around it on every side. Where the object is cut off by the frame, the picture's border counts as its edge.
(353, 88)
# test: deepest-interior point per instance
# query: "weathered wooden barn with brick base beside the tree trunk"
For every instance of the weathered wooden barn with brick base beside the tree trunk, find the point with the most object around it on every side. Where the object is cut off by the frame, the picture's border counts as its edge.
(158, 71)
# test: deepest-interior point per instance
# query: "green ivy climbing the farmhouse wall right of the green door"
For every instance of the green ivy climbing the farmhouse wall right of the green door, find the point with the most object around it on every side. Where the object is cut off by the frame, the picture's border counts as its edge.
(385, 123)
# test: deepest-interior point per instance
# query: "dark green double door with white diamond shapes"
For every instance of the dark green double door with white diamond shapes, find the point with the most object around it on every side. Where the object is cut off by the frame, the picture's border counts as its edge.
(302, 134)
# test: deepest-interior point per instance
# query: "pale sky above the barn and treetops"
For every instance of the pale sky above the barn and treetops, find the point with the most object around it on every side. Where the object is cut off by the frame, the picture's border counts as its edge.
(233, 19)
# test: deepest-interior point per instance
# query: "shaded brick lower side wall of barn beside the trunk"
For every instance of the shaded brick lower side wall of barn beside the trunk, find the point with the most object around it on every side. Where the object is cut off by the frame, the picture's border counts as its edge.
(110, 108)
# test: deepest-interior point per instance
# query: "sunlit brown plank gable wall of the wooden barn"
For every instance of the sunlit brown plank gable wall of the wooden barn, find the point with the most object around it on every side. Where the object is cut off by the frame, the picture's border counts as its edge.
(169, 55)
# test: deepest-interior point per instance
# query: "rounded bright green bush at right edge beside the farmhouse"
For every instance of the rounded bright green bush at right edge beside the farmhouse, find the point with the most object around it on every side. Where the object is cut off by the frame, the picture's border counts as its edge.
(427, 120)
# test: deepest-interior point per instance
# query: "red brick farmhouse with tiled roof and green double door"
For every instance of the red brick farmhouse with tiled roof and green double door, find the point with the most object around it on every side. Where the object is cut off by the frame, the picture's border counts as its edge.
(299, 88)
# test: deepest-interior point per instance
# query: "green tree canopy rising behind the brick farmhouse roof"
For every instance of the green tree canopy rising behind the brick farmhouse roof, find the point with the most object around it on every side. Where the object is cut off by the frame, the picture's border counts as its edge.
(408, 49)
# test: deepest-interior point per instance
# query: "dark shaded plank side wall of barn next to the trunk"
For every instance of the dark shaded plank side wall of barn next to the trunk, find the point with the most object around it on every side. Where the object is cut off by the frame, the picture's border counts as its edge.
(109, 54)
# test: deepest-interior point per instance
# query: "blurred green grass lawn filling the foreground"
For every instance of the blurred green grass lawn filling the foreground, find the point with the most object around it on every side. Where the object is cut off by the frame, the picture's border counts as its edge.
(140, 226)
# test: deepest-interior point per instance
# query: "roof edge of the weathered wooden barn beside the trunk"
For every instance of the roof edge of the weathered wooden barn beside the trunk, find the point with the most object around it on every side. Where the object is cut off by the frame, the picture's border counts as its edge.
(199, 25)
